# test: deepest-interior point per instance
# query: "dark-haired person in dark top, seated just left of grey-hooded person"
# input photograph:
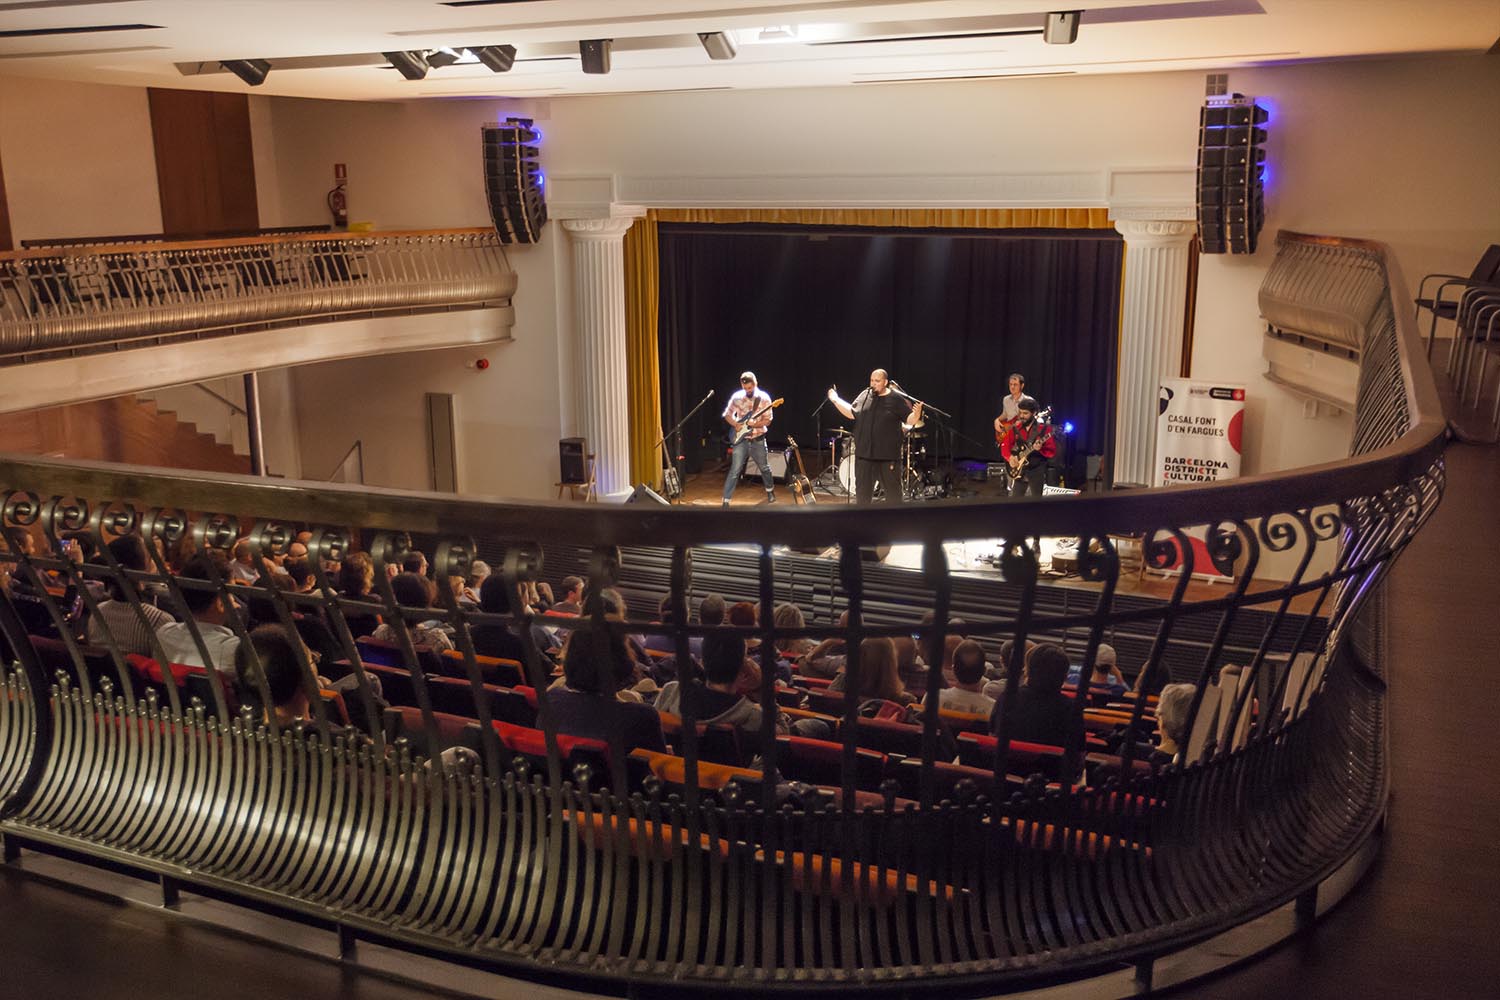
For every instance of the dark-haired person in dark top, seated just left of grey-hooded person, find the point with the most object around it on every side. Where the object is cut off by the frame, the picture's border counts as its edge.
(595, 668)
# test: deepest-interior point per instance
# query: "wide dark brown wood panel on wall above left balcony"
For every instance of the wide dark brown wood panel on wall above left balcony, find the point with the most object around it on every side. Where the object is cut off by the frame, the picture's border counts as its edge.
(205, 163)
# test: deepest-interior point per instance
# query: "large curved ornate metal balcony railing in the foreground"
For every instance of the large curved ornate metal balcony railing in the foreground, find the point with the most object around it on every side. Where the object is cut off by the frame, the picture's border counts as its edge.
(554, 860)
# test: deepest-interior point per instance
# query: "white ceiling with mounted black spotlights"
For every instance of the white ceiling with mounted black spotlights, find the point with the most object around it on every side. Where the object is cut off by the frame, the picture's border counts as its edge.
(331, 49)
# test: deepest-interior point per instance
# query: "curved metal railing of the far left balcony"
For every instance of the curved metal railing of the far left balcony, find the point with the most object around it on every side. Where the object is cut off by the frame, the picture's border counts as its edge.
(98, 298)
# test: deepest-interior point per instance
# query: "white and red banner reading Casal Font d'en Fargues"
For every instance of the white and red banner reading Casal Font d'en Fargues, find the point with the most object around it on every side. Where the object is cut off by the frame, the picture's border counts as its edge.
(1199, 428)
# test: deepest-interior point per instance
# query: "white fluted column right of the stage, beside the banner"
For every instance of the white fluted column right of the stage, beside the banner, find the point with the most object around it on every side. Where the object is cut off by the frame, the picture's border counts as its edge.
(1153, 314)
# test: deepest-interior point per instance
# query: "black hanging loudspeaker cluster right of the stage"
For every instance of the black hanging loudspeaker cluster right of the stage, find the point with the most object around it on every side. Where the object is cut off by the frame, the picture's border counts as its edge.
(1232, 199)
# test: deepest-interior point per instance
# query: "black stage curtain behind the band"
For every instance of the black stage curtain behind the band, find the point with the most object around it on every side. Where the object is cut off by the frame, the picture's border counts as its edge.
(950, 314)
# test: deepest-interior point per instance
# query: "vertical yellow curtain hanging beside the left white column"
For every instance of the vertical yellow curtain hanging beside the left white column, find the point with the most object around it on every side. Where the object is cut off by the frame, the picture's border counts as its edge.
(644, 385)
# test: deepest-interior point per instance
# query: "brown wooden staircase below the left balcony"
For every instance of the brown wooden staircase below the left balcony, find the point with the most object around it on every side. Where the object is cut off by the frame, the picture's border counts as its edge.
(122, 430)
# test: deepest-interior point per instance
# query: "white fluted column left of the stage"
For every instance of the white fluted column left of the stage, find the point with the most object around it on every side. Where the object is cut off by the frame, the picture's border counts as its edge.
(599, 310)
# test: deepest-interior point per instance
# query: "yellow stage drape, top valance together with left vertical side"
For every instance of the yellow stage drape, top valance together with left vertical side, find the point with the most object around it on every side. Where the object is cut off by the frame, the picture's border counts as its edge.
(643, 283)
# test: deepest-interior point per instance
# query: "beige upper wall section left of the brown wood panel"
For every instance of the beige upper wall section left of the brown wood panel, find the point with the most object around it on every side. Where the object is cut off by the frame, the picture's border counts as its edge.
(79, 160)
